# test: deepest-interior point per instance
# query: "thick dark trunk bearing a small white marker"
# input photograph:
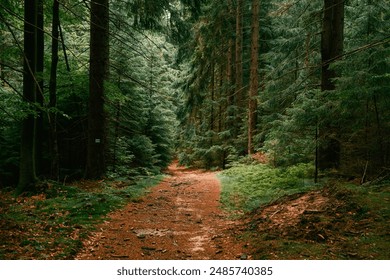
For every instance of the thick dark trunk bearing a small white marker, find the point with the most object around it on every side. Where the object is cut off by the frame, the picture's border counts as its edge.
(99, 58)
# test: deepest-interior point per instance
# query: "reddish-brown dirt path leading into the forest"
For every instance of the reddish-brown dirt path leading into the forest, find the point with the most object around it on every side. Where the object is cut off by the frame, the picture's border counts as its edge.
(178, 219)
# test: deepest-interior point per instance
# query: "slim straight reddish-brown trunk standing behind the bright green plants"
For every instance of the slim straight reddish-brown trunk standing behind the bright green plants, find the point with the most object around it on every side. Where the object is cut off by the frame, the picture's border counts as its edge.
(254, 75)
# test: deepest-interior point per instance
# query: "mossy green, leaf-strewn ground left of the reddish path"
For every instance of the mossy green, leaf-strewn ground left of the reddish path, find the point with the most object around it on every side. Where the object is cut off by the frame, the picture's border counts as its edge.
(52, 224)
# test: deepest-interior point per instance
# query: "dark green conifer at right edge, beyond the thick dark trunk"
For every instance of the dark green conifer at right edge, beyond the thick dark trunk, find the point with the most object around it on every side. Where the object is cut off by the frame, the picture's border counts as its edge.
(361, 90)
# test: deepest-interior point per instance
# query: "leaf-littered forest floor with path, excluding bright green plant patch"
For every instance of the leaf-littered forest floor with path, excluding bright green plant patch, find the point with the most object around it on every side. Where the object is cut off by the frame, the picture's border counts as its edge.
(182, 217)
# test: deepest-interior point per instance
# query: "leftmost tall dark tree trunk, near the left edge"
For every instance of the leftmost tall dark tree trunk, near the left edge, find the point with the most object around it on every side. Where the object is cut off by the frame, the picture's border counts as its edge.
(27, 173)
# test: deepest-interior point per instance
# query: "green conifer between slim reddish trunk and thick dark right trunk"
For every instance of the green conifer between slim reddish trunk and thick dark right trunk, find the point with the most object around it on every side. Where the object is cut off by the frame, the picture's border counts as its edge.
(290, 106)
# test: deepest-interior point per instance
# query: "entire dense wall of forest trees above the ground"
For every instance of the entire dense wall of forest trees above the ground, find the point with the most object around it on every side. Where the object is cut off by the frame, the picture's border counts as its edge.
(93, 89)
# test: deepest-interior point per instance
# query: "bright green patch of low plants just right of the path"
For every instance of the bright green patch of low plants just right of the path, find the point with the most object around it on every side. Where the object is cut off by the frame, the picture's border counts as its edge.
(246, 187)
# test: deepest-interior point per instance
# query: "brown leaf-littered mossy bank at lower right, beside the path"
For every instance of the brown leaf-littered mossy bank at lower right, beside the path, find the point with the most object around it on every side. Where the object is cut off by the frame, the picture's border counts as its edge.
(354, 225)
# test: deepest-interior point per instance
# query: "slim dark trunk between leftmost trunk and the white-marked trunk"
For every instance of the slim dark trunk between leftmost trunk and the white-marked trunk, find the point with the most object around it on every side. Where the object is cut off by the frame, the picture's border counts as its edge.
(54, 170)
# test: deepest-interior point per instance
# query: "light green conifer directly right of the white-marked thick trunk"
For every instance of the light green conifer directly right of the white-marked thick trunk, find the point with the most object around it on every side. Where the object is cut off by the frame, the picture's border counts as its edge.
(140, 98)
